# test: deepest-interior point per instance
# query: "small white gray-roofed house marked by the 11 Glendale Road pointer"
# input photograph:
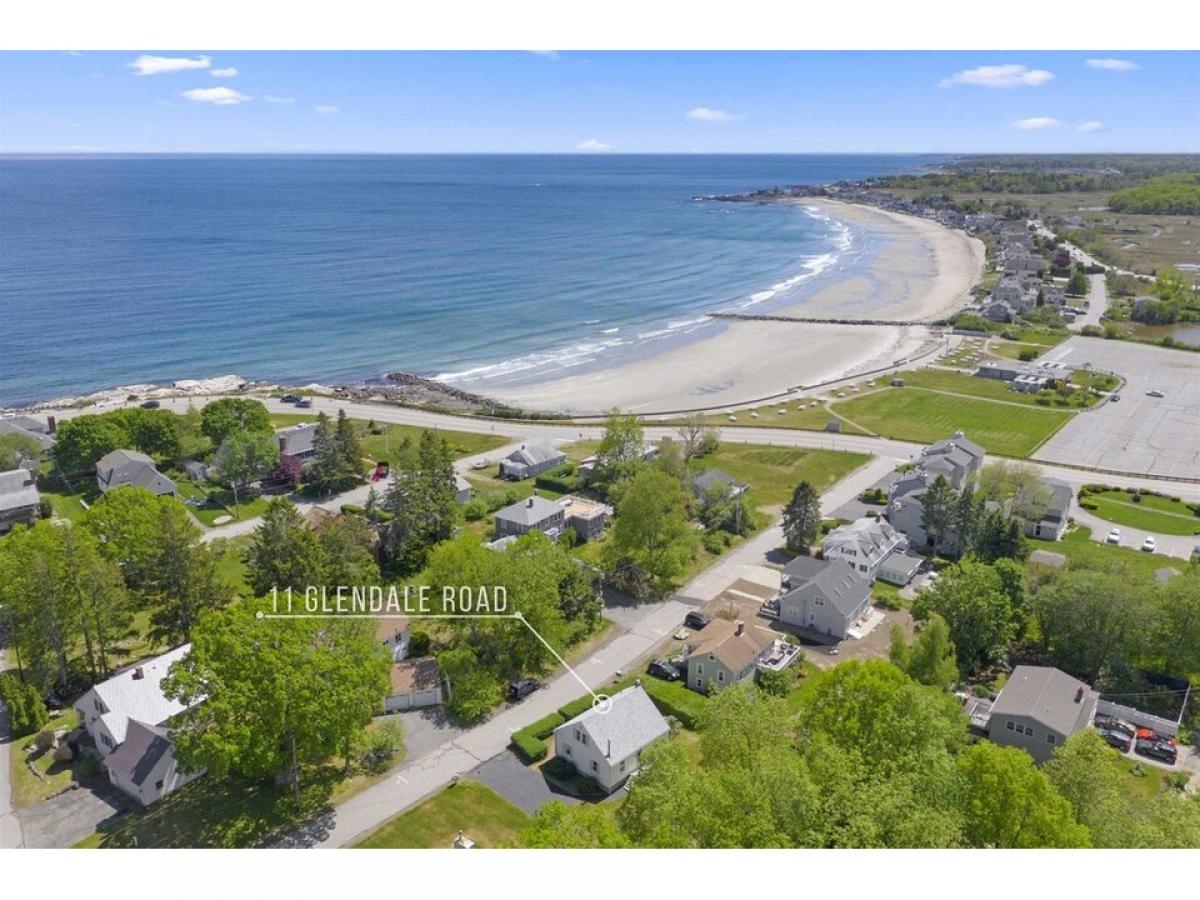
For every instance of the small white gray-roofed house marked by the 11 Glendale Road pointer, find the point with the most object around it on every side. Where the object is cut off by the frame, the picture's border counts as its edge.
(607, 743)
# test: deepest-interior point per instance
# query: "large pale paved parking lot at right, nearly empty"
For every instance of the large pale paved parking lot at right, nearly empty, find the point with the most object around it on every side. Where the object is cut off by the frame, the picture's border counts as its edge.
(1138, 435)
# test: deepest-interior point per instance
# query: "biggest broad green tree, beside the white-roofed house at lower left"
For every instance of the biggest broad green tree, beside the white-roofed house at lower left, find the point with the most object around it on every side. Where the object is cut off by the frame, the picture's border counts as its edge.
(278, 693)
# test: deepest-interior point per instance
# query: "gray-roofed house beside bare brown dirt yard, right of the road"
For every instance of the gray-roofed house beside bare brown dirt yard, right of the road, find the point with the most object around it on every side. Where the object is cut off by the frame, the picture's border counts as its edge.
(824, 597)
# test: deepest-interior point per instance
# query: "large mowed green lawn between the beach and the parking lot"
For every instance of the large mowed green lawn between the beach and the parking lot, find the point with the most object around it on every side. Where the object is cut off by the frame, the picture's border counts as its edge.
(923, 417)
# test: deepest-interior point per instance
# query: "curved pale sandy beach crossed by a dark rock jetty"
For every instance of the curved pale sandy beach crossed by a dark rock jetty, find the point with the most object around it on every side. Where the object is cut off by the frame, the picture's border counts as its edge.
(923, 273)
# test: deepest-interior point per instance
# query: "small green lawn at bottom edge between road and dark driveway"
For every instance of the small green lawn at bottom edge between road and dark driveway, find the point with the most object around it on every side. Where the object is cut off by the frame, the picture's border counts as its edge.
(471, 807)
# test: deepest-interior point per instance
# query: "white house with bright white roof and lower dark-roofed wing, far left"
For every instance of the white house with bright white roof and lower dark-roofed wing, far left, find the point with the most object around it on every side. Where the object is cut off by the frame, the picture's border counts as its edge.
(125, 717)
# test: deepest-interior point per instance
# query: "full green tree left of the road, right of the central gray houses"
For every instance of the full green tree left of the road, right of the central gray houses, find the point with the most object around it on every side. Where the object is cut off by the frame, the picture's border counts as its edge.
(652, 529)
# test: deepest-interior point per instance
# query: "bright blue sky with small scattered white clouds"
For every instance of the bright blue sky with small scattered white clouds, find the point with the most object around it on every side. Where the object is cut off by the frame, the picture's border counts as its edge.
(598, 103)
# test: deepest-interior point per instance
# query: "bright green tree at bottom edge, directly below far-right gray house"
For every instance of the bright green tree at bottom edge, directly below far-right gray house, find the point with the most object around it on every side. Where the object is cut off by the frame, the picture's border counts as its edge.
(1011, 803)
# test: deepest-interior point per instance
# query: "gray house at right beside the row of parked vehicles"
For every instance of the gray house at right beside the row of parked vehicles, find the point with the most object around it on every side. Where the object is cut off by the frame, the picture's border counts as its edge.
(1040, 709)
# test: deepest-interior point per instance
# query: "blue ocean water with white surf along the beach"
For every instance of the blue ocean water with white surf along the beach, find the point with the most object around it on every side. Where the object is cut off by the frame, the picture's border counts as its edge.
(117, 271)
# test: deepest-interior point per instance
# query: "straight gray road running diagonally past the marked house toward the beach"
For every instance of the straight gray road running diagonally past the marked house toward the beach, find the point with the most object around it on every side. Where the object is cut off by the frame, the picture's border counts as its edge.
(423, 777)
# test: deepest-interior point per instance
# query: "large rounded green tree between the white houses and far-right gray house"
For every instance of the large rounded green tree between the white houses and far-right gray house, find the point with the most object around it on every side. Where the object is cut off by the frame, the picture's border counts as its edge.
(971, 598)
